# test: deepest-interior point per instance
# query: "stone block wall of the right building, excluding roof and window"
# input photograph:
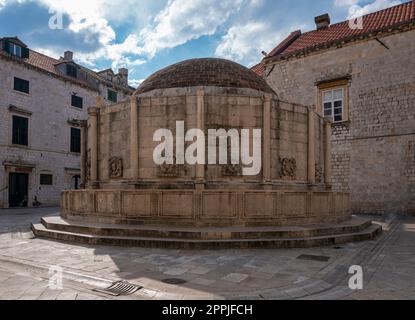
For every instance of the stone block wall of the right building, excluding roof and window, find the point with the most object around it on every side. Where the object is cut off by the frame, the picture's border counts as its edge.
(373, 151)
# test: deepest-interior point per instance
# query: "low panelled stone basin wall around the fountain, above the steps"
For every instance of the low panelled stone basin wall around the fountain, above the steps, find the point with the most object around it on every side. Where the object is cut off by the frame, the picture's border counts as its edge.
(206, 208)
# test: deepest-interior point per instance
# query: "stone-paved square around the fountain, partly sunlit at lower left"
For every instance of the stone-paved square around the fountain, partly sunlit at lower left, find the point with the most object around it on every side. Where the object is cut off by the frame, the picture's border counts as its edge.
(388, 264)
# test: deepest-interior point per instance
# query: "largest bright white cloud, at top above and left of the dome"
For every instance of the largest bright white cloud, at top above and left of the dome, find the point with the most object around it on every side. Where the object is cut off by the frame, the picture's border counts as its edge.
(180, 21)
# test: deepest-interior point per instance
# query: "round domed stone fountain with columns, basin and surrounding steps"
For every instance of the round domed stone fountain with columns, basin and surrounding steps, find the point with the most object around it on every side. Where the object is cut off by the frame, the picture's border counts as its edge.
(208, 107)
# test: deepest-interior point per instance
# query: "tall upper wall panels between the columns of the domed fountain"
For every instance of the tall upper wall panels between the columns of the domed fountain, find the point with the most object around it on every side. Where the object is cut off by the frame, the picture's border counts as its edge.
(241, 109)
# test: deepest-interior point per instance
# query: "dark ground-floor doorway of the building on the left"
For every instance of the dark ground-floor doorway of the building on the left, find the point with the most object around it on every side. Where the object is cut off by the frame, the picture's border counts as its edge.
(18, 190)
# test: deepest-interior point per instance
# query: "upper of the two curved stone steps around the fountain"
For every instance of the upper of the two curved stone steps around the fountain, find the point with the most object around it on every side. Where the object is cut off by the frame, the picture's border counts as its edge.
(57, 223)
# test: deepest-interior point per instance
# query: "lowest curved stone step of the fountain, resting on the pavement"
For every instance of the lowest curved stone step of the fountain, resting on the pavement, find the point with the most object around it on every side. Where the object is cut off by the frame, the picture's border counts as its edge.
(370, 233)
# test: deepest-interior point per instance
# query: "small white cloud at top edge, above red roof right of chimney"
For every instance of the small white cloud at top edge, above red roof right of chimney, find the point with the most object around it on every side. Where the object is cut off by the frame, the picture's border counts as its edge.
(357, 10)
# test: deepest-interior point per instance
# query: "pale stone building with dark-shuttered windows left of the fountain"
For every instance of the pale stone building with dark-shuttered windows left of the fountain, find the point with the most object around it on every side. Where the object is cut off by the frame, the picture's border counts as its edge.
(42, 104)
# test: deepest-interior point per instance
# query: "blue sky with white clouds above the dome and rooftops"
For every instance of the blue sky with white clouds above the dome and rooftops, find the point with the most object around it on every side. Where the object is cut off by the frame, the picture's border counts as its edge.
(147, 35)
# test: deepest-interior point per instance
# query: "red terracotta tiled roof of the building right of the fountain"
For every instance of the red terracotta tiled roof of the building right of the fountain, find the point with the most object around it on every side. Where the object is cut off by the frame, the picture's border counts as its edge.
(374, 22)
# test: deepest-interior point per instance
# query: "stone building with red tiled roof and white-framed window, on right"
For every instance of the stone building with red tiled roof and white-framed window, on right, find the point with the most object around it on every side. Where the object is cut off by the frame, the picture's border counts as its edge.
(364, 80)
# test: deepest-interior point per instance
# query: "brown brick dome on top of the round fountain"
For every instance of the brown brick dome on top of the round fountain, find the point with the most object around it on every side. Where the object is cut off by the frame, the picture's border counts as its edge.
(204, 72)
